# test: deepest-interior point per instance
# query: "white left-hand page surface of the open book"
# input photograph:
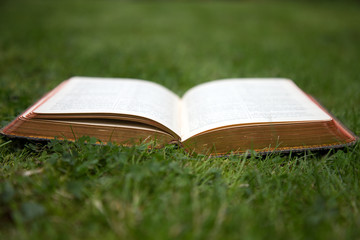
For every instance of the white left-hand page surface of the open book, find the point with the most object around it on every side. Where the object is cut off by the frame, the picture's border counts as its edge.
(119, 96)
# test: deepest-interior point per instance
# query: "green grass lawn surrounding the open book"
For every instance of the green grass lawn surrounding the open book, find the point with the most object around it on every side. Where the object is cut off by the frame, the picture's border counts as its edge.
(75, 190)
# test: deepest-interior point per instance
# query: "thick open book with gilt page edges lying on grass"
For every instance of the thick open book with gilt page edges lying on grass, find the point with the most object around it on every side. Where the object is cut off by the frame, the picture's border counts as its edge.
(218, 117)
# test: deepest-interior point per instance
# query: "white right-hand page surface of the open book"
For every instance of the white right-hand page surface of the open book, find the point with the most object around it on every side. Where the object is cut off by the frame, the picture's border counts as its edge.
(243, 101)
